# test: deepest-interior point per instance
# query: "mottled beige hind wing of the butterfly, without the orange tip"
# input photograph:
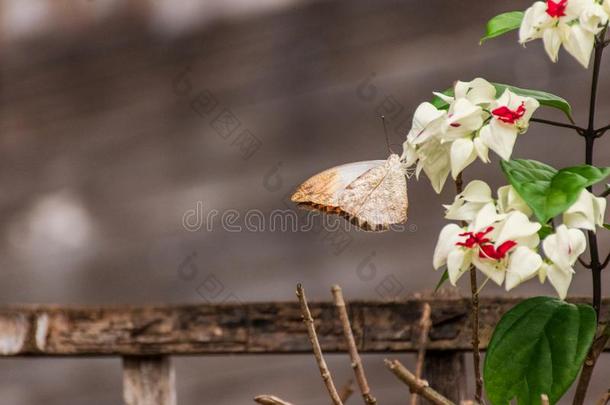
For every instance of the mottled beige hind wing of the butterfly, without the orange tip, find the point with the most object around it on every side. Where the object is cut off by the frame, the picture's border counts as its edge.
(378, 198)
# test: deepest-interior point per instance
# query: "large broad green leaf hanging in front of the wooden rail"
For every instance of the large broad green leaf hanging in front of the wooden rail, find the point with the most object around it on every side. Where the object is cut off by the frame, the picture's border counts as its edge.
(538, 347)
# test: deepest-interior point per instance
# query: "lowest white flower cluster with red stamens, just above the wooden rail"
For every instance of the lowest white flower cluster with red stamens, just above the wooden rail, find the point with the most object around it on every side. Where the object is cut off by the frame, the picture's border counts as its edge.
(501, 240)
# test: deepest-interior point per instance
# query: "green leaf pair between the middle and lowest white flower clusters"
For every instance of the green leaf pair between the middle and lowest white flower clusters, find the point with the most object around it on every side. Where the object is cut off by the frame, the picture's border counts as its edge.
(547, 191)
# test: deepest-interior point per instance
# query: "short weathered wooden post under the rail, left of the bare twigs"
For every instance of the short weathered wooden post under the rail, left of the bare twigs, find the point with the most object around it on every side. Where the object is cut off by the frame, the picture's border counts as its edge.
(148, 381)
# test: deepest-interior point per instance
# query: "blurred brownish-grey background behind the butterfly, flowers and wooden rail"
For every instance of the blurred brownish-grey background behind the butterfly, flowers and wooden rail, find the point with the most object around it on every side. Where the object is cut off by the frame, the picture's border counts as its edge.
(118, 119)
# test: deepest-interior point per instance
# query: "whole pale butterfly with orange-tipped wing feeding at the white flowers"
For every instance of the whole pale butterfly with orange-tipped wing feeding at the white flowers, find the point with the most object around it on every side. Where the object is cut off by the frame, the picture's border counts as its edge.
(371, 195)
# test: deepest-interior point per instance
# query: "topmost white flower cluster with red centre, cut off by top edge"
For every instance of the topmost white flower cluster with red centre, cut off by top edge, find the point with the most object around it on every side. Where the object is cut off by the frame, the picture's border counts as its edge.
(571, 23)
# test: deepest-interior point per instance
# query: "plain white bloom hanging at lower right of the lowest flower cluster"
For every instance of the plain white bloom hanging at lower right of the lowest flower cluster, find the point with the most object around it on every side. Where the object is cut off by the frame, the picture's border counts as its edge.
(562, 250)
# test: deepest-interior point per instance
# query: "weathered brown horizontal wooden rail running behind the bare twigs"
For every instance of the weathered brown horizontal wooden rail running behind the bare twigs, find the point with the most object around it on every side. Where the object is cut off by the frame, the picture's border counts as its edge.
(240, 328)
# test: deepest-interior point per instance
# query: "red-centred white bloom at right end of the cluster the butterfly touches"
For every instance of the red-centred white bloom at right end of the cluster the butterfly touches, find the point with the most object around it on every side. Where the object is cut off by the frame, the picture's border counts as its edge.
(510, 116)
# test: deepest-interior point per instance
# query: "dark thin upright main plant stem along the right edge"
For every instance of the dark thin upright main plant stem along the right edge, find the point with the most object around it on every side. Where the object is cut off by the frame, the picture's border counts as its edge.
(590, 135)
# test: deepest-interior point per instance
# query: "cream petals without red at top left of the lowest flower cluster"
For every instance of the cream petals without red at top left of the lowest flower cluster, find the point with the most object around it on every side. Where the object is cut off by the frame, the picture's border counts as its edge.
(467, 204)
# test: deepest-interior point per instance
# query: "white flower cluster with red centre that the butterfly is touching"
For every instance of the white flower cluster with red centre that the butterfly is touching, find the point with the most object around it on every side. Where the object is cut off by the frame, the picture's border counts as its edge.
(447, 141)
